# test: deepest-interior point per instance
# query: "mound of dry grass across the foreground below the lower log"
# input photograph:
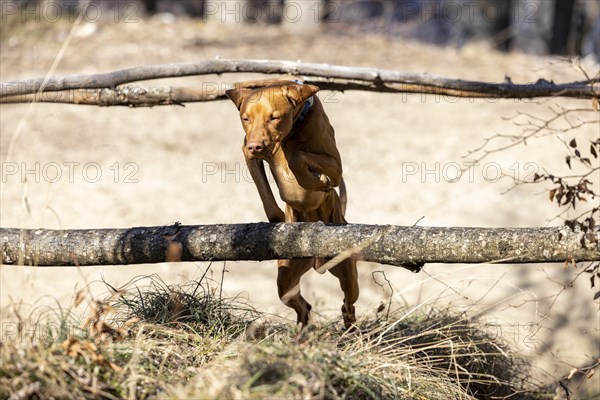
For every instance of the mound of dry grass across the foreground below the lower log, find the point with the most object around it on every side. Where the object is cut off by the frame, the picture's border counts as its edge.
(190, 342)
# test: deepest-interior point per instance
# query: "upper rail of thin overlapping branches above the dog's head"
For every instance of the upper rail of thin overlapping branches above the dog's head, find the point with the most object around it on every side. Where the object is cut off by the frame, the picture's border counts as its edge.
(106, 89)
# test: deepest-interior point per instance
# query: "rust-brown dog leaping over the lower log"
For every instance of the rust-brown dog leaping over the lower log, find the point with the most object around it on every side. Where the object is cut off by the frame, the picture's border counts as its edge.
(286, 126)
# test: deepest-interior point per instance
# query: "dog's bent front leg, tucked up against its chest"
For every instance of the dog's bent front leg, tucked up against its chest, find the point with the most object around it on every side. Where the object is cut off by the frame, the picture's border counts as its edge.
(316, 171)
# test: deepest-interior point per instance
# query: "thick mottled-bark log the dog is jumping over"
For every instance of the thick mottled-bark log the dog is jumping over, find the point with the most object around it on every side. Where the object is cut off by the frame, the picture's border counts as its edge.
(409, 247)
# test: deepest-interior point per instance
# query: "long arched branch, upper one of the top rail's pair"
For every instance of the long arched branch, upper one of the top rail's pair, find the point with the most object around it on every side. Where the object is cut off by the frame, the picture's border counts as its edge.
(328, 77)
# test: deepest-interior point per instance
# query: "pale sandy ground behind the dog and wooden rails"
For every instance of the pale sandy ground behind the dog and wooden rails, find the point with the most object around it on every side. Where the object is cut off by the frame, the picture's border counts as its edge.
(167, 164)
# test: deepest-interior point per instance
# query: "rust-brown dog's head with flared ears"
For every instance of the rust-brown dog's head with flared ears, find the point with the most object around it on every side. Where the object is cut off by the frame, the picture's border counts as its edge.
(268, 113)
